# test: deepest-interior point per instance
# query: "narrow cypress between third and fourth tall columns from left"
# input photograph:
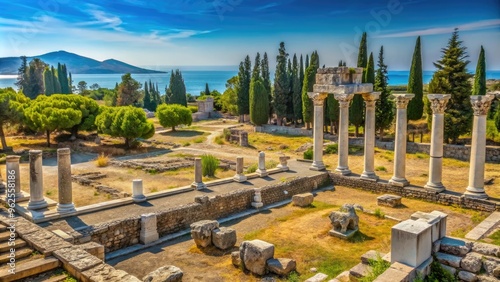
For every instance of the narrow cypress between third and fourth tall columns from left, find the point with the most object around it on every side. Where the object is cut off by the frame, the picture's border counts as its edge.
(384, 107)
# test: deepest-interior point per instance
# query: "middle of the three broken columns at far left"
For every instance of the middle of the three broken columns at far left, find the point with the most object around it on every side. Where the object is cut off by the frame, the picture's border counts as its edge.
(36, 181)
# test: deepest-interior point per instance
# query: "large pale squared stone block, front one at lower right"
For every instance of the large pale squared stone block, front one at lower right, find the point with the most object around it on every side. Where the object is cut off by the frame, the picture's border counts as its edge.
(411, 242)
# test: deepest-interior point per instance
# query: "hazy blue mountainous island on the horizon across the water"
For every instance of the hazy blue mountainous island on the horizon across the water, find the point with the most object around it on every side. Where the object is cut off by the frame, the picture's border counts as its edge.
(75, 64)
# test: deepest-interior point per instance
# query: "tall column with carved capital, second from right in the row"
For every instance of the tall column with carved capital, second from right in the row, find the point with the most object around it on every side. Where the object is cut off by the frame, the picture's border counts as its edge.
(438, 105)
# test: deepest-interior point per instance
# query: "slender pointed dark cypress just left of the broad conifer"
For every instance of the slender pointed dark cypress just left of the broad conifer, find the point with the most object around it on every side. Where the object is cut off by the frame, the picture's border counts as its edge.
(415, 85)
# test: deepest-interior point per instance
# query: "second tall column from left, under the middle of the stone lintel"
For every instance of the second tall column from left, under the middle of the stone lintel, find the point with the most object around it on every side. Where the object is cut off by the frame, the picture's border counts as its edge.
(343, 136)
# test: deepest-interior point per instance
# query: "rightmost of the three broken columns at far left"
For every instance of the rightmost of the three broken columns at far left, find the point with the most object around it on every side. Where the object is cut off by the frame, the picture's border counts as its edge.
(64, 183)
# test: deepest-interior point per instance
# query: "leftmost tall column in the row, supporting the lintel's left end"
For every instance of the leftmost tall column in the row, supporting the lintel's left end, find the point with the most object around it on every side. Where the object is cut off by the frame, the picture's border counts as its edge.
(319, 101)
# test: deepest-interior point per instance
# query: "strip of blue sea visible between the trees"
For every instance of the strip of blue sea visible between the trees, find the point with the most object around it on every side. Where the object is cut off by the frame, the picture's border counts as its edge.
(195, 79)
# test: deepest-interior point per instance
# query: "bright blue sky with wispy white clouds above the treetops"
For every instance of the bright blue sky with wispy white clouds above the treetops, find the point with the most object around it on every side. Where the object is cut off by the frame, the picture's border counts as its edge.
(223, 32)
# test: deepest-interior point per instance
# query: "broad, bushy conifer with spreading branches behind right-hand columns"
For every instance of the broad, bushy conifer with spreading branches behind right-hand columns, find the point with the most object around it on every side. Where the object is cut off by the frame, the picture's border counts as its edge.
(452, 78)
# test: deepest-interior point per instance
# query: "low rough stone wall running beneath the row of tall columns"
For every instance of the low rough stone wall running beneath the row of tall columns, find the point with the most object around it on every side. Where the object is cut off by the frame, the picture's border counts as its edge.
(416, 193)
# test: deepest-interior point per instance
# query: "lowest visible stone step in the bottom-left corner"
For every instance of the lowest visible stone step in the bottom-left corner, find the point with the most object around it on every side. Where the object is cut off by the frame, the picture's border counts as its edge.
(29, 268)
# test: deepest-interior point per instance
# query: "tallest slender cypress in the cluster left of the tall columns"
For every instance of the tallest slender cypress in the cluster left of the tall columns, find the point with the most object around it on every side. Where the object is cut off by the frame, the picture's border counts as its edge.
(281, 84)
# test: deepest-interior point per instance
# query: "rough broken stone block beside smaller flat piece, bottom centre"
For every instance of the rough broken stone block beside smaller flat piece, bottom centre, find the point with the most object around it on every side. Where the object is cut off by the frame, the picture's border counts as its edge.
(254, 255)
